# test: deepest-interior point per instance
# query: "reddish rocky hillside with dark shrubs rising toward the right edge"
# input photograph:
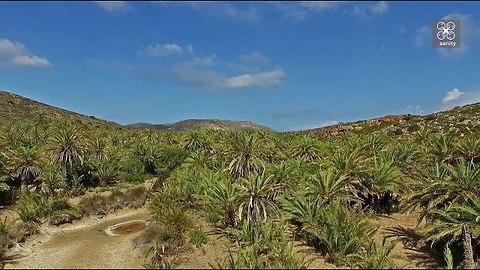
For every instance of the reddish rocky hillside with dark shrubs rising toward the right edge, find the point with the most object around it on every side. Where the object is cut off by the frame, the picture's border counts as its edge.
(459, 120)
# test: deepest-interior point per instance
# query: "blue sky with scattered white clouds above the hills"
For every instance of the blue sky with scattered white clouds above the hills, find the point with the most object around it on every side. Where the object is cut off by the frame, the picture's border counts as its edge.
(288, 66)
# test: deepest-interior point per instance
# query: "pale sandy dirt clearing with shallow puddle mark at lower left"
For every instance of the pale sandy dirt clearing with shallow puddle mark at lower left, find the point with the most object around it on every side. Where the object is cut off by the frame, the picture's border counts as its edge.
(83, 244)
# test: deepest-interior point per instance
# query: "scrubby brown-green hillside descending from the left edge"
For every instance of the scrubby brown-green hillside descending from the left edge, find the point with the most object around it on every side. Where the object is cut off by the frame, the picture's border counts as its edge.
(14, 107)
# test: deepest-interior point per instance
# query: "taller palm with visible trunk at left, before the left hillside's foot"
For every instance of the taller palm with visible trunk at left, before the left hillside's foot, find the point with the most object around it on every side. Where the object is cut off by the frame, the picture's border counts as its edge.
(67, 151)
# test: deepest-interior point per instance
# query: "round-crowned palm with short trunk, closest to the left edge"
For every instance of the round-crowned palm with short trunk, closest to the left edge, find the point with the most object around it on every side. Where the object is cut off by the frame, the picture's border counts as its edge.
(26, 164)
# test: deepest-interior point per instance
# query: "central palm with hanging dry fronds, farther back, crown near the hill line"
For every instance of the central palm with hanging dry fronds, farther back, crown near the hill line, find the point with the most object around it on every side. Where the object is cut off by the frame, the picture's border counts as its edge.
(246, 150)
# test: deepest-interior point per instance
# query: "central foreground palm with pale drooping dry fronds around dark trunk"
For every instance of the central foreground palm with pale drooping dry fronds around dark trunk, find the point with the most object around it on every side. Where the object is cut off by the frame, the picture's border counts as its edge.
(257, 196)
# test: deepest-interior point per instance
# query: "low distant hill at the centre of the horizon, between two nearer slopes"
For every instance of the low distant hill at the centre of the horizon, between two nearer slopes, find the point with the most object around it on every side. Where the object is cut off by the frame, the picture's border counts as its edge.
(202, 124)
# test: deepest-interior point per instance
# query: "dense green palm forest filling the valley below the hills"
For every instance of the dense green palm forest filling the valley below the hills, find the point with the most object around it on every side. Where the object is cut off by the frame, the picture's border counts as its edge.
(264, 192)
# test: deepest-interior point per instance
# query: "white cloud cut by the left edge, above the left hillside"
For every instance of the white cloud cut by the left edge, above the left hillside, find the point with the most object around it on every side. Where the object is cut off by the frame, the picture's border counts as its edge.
(13, 53)
